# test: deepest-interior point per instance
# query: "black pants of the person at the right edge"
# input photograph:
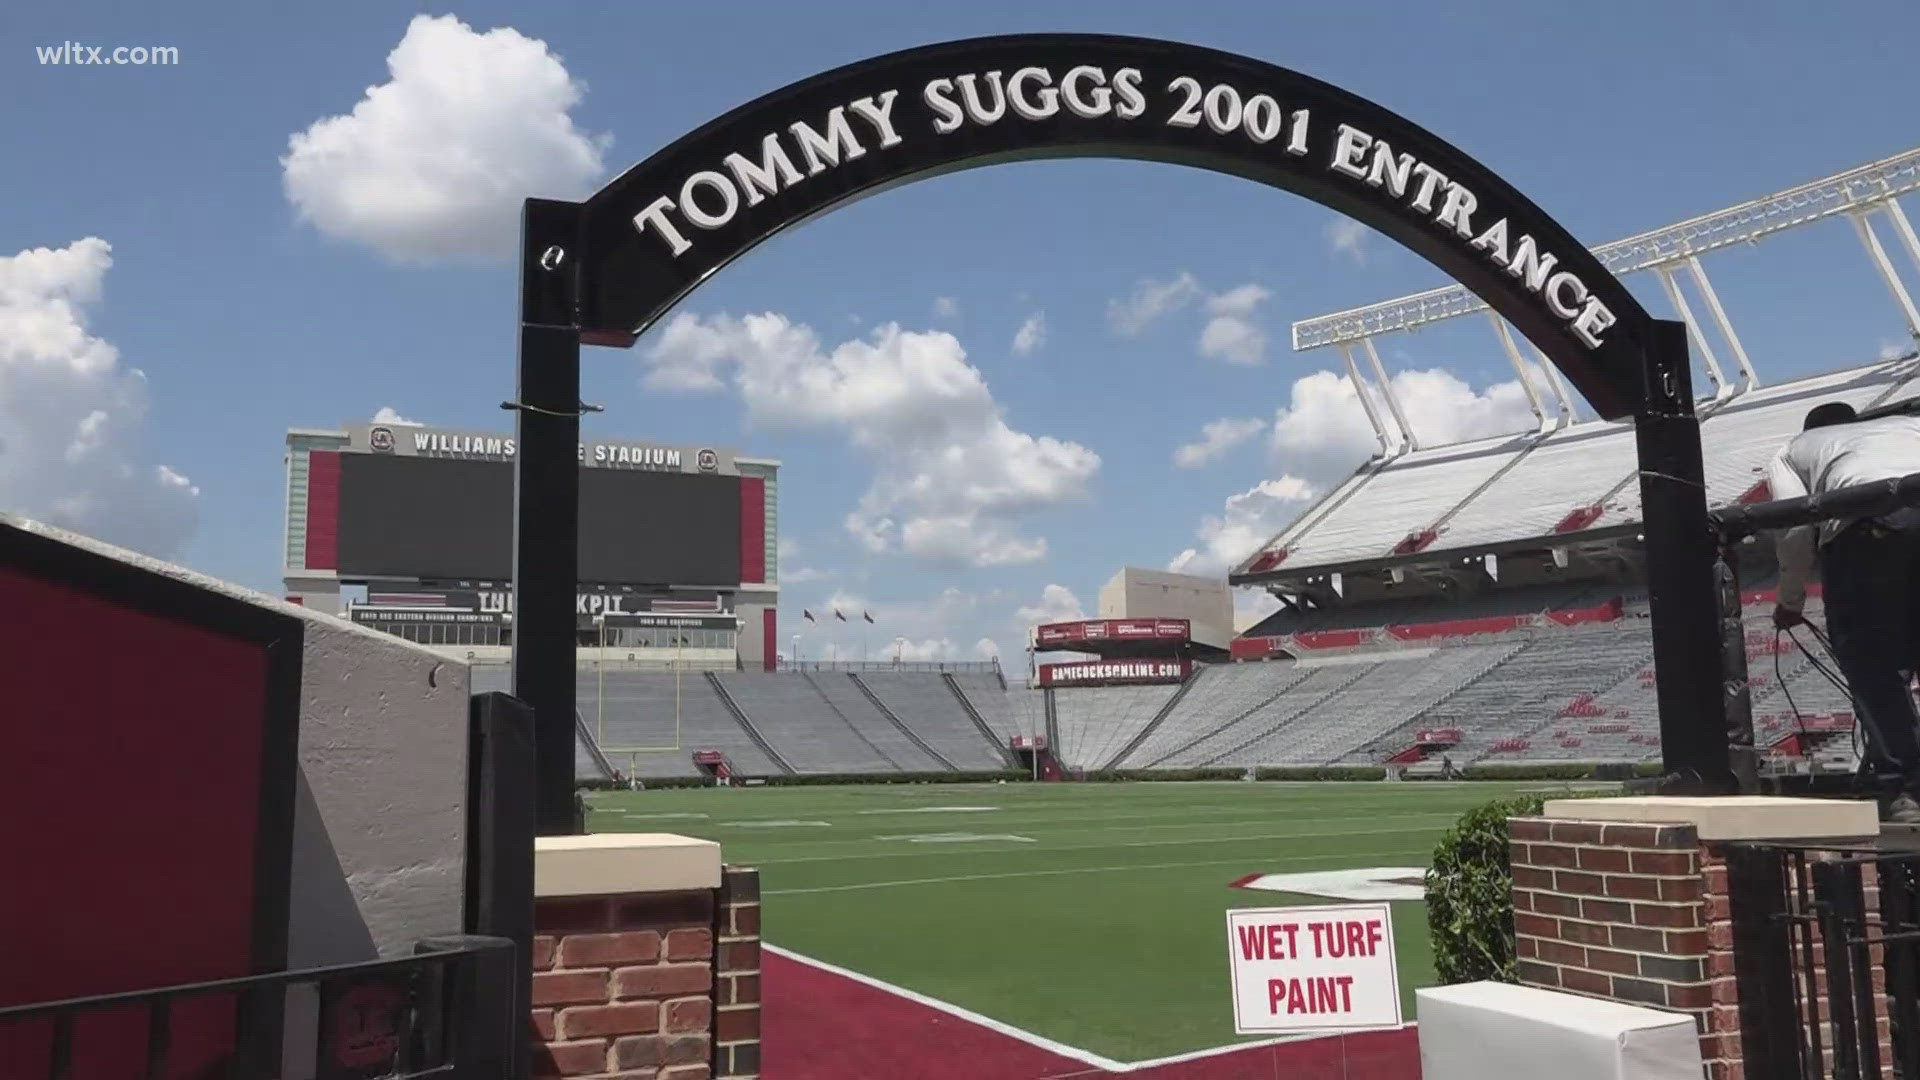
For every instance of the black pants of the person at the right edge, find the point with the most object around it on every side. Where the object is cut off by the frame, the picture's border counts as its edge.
(1873, 614)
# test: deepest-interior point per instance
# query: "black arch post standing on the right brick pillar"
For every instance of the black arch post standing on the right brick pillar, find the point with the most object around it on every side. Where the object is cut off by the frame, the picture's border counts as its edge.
(1681, 574)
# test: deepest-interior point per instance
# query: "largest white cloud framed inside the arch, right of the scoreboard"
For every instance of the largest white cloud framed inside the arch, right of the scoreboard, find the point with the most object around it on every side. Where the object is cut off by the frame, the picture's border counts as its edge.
(953, 479)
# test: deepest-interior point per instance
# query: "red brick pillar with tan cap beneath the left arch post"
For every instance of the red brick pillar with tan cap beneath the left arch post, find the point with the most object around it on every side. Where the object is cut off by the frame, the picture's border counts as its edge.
(625, 954)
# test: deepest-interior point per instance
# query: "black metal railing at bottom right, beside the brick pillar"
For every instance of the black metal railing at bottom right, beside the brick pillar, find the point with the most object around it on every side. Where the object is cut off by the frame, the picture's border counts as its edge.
(1827, 948)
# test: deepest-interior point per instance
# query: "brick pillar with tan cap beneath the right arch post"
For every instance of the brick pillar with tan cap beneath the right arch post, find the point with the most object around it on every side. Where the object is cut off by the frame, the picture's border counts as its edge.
(1612, 902)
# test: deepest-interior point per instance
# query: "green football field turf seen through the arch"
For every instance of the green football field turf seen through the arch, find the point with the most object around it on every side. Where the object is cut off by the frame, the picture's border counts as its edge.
(1088, 914)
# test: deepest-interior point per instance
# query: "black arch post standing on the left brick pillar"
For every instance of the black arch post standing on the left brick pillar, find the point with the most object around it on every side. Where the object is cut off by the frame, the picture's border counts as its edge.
(546, 501)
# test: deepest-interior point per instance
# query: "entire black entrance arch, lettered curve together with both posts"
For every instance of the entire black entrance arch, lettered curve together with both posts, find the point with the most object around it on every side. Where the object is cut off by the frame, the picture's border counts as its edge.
(606, 270)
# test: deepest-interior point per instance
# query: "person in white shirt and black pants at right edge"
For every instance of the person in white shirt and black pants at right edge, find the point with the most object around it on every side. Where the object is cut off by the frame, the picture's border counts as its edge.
(1871, 574)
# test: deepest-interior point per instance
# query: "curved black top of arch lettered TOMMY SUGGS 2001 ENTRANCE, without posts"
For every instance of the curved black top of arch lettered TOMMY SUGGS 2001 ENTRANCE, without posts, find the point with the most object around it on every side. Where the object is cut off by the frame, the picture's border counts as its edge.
(667, 224)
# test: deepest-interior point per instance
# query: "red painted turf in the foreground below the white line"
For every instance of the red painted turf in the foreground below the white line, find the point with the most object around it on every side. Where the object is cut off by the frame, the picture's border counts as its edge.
(825, 1027)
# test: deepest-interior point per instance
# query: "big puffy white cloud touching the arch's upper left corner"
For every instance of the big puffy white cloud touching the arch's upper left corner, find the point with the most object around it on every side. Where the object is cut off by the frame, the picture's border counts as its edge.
(435, 162)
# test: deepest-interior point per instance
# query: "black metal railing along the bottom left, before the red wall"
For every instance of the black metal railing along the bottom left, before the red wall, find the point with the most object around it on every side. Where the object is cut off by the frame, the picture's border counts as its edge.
(444, 1012)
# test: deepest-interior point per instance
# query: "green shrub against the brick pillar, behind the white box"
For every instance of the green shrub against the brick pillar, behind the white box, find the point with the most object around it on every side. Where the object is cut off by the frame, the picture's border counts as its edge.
(1470, 895)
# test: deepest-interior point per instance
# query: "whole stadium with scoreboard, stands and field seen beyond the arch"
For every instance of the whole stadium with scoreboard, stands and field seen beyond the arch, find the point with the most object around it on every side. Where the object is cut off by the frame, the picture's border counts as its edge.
(1476, 610)
